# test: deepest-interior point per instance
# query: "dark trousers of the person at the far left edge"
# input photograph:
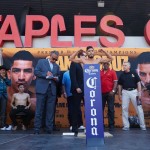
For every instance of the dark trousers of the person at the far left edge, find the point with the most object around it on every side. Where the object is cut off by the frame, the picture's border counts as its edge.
(3, 105)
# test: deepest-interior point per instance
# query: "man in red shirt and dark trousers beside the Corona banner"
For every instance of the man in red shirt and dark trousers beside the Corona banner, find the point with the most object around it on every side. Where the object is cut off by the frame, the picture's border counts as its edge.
(109, 85)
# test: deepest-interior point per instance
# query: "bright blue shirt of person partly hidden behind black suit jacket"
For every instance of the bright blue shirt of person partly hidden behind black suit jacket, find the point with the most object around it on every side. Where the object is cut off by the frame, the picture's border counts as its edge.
(67, 83)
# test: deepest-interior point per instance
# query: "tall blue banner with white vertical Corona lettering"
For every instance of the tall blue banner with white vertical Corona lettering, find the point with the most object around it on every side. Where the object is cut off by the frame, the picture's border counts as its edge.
(93, 105)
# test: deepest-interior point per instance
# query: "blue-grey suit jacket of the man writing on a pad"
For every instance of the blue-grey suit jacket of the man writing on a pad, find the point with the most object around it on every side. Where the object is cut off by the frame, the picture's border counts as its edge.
(40, 72)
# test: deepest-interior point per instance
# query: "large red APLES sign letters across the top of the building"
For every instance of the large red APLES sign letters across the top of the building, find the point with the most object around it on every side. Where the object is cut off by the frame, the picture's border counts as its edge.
(57, 23)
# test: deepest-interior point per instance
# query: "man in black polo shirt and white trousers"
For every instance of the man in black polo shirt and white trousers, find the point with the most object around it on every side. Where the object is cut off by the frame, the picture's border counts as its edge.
(129, 88)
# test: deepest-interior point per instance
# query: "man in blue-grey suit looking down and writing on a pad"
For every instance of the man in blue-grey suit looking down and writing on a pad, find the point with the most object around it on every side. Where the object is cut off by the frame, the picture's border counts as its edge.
(47, 73)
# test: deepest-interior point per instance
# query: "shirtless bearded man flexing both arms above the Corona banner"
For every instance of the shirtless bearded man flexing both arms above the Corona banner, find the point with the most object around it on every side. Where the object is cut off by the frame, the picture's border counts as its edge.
(90, 57)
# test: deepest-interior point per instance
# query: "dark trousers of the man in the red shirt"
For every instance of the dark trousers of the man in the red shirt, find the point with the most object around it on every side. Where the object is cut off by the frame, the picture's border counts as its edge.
(106, 97)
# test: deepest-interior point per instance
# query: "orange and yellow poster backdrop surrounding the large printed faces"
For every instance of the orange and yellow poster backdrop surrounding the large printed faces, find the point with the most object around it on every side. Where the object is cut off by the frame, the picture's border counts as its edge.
(119, 54)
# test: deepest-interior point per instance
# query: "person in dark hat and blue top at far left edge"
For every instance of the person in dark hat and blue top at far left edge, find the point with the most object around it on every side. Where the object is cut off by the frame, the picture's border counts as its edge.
(4, 82)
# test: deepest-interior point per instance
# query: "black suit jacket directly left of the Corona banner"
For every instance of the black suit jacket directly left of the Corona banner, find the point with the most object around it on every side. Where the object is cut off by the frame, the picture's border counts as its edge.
(76, 76)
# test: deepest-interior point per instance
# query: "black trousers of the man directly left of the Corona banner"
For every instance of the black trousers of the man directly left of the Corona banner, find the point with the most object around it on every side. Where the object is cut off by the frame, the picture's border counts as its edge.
(76, 111)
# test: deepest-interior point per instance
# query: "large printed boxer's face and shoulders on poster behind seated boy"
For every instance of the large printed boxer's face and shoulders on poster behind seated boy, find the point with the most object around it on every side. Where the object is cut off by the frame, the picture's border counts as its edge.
(21, 72)
